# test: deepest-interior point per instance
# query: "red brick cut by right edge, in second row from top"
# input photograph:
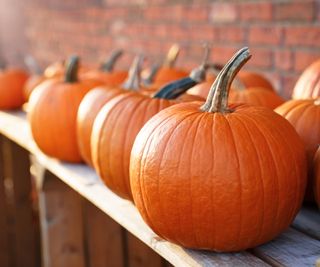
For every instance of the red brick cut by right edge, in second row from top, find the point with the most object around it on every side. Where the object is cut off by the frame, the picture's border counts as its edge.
(302, 35)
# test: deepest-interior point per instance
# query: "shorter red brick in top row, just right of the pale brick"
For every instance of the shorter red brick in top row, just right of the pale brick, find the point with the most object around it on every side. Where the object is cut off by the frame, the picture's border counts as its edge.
(261, 11)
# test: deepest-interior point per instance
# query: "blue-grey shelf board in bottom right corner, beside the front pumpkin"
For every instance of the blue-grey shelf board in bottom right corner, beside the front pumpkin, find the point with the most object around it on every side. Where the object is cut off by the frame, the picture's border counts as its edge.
(291, 248)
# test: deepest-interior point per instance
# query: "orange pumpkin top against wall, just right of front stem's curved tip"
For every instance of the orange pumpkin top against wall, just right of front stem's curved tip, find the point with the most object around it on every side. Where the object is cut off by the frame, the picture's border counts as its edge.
(252, 79)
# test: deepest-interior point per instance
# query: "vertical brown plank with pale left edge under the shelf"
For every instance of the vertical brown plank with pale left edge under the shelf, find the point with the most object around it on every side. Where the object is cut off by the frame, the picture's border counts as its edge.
(61, 224)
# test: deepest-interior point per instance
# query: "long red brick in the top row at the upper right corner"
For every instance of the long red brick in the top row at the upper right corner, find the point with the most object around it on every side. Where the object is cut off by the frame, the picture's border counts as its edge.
(294, 10)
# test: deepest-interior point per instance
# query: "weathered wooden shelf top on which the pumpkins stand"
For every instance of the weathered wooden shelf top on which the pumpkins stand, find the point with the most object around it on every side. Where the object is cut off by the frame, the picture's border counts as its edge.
(292, 248)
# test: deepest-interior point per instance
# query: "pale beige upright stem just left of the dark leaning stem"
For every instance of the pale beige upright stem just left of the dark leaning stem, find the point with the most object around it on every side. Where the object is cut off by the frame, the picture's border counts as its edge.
(133, 80)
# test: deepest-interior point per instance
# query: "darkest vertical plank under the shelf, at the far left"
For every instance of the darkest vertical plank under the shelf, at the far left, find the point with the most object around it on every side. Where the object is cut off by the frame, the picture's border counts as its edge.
(17, 169)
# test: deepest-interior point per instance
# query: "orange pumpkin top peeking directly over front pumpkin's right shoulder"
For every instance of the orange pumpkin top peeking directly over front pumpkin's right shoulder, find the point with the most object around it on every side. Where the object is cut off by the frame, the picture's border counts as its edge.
(256, 96)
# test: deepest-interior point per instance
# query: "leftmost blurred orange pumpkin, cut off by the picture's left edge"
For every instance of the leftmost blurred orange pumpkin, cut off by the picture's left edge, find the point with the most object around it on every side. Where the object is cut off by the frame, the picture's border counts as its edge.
(11, 88)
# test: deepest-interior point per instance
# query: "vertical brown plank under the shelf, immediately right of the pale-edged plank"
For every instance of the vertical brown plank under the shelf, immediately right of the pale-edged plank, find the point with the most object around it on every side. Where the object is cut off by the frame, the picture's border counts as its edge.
(103, 238)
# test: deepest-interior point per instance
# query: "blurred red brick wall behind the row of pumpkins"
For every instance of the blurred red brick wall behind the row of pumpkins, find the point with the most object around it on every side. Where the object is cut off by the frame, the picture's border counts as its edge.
(284, 35)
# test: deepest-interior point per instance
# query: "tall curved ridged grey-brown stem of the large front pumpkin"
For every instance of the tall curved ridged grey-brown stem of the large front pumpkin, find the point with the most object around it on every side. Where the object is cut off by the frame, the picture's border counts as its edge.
(217, 100)
